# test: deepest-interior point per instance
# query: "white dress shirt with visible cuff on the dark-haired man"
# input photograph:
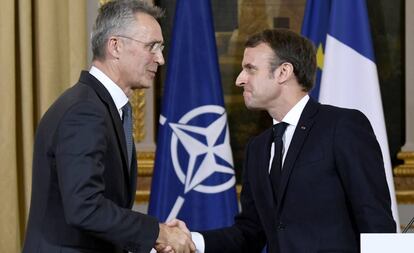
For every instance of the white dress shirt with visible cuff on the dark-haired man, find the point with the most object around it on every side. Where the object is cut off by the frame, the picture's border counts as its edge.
(292, 118)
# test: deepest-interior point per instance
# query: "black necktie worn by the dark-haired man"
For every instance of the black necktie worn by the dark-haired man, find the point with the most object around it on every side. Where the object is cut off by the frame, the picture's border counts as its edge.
(276, 169)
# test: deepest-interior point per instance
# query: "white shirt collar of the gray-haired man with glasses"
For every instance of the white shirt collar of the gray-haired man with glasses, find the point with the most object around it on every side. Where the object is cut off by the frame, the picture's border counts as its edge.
(119, 97)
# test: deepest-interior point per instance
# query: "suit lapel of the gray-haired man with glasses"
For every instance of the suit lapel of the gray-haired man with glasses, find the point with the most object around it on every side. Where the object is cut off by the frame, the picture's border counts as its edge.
(91, 81)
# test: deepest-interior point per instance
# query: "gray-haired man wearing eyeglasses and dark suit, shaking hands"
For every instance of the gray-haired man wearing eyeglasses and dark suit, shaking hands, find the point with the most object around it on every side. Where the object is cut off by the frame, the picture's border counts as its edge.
(84, 166)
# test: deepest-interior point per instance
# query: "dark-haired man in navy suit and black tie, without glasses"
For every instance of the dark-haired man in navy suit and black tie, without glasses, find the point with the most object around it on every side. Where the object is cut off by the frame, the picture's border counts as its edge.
(315, 180)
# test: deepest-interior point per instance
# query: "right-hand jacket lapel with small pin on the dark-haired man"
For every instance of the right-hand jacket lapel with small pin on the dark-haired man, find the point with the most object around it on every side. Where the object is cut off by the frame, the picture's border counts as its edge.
(301, 132)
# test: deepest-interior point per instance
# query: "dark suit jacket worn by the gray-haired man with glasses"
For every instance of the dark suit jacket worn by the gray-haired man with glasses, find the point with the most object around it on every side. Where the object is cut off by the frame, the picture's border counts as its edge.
(83, 189)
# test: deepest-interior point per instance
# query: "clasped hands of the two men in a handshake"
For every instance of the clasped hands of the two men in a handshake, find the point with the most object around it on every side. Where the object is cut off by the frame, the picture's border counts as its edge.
(174, 237)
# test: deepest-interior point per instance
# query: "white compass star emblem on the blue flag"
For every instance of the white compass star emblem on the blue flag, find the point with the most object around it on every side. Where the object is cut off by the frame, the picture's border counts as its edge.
(203, 156)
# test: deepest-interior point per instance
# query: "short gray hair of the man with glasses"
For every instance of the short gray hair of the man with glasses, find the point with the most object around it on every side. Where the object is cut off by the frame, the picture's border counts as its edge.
(116, 17)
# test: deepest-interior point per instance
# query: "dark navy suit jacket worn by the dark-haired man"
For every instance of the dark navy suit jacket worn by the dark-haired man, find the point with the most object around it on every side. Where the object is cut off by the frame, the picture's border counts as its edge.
(333, 188)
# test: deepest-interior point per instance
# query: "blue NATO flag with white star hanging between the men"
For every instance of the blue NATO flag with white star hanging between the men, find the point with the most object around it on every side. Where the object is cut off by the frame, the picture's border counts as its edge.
(193, 174)
